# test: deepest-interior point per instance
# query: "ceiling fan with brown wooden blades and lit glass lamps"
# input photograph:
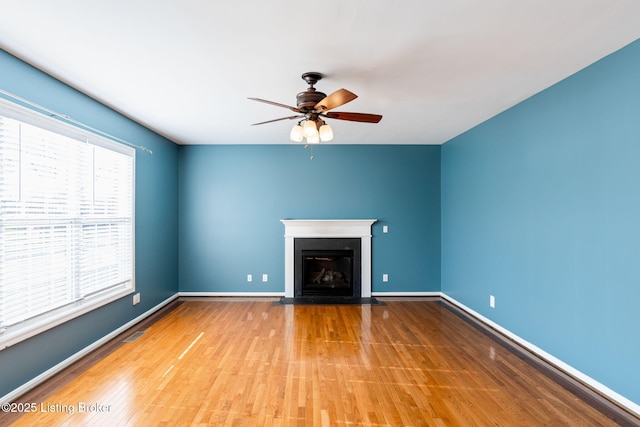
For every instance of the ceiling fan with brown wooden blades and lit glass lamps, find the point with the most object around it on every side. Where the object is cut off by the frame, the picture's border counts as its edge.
(313, 107)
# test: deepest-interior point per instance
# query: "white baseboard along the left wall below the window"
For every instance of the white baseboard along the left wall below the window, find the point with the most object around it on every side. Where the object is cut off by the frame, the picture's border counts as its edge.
(34, 382)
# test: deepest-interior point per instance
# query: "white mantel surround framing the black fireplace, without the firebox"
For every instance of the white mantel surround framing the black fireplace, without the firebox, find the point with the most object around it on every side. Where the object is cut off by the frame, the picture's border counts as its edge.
(327, 228)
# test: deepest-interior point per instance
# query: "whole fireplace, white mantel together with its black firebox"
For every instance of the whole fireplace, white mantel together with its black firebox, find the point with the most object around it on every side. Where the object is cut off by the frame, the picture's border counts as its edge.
(341, 247)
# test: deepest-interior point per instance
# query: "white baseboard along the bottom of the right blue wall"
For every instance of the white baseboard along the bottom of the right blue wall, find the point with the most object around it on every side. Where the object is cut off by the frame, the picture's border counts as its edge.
(552, 360)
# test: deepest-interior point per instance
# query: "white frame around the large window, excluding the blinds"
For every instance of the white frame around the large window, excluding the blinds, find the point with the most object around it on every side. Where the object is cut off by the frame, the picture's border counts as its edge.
(13, 333)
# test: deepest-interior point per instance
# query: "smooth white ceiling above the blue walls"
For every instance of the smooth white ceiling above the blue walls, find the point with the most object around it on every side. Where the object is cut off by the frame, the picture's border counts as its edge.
(432, 68)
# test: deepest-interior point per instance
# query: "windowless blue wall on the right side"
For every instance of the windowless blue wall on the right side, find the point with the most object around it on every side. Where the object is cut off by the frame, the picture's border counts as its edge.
(541, 208)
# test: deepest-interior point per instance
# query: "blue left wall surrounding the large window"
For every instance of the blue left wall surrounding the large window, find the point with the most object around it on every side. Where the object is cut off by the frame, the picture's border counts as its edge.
(156, 225)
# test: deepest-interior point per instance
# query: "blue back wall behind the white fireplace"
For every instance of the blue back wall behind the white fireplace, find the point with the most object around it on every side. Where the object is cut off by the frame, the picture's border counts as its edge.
(232, 199)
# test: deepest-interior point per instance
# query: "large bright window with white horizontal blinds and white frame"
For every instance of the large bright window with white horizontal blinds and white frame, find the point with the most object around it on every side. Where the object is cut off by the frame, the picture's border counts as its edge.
(66, 222)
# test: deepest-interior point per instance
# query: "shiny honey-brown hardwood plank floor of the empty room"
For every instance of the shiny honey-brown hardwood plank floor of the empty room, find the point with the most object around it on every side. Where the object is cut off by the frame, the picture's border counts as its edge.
(254, 363)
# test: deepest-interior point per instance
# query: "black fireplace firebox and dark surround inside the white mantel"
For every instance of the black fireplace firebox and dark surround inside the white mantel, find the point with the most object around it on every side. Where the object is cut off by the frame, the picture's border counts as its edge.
(327, 267)
